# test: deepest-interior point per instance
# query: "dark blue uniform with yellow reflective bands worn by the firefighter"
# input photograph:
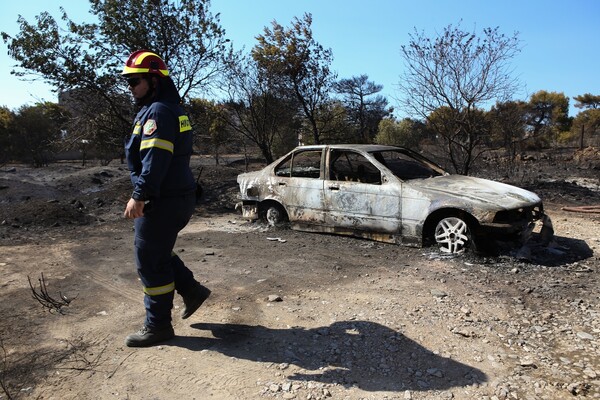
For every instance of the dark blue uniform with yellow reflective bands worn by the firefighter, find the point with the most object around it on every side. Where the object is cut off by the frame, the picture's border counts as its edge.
(158, 155)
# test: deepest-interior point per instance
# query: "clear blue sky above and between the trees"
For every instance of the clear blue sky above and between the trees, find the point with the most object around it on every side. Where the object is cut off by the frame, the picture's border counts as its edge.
(559, 38)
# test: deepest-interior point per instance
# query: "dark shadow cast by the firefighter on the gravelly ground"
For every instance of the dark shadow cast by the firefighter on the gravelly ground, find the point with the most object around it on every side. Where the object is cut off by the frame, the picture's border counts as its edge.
(351, 353)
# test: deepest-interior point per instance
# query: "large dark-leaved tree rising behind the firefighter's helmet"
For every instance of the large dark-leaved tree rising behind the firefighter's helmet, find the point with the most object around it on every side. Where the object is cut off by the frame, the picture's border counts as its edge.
(88, 57)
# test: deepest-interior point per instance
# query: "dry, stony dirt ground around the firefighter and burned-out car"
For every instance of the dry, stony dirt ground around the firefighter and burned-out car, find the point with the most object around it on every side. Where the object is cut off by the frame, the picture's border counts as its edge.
(293, 315)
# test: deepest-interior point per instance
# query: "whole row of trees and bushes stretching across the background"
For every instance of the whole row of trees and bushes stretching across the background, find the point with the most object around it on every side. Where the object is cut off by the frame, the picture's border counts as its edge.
(281, 93)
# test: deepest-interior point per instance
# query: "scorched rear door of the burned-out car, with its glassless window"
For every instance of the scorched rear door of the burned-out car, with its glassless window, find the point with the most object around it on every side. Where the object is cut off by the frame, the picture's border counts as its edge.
(298, 181)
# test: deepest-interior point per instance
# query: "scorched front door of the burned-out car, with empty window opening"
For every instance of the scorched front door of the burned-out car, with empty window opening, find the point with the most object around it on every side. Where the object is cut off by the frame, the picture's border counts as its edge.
(359, 196)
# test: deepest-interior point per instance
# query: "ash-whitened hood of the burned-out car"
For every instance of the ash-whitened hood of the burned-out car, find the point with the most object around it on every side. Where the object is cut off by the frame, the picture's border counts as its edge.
(478, 190)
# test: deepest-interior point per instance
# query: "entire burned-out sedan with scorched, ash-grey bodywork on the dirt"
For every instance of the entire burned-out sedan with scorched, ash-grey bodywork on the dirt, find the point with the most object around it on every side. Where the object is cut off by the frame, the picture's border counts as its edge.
(389, 194)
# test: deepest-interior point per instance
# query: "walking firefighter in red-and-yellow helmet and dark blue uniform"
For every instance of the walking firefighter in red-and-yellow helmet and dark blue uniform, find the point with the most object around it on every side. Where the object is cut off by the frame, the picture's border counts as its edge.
(158, 156)
